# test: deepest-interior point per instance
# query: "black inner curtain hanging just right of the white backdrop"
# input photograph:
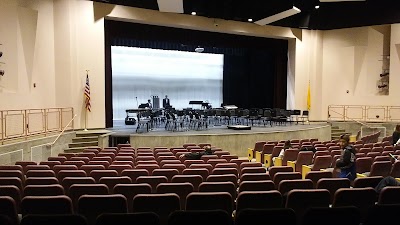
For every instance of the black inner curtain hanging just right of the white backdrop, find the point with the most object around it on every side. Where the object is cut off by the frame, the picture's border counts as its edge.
(249, 80)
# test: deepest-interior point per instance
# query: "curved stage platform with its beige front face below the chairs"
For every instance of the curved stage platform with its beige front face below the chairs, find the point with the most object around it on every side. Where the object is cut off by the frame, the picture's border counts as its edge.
(235, 141)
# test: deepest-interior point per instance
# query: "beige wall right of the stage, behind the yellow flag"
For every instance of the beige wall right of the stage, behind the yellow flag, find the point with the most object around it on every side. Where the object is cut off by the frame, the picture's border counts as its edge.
(338, 61)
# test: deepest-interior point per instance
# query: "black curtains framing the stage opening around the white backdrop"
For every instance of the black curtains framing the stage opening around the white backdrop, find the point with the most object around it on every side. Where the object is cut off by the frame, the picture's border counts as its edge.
(255, 69)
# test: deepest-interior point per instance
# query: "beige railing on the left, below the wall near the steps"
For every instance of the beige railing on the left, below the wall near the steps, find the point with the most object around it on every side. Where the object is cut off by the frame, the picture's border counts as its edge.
(15, 124)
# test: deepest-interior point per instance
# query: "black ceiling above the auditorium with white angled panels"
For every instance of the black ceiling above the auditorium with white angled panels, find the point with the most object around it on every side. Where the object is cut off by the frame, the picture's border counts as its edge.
(330, 15)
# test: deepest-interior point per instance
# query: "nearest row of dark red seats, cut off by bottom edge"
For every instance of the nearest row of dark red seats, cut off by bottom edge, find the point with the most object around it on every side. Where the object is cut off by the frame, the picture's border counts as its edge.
(378, 214)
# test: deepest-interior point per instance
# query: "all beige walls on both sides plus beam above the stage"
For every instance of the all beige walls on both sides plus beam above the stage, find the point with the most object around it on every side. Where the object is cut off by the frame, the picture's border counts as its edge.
(53, 42)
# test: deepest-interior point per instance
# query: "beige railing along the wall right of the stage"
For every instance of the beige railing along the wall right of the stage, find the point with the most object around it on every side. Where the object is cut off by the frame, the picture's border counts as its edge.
(364, 113)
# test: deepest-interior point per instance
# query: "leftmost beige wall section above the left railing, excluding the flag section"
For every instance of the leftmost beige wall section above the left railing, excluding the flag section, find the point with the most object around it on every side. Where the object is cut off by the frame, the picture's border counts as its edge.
(28, 46)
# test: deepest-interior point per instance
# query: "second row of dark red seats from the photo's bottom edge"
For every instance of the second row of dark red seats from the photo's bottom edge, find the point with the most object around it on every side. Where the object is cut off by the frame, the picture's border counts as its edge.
(91, 206)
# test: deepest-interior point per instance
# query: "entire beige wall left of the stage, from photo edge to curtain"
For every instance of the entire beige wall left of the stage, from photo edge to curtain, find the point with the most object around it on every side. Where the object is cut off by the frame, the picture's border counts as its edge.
(47, 47)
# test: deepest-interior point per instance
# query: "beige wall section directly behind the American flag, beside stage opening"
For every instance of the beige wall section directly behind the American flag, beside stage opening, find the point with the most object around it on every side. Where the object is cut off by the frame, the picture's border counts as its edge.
(80, 42)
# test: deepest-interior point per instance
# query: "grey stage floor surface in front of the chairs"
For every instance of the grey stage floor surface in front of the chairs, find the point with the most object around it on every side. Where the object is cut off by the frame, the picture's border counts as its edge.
(120, 129)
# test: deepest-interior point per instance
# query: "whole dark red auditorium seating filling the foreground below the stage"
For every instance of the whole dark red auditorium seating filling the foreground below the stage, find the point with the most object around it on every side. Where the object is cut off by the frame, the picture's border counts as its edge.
(126, 185)
